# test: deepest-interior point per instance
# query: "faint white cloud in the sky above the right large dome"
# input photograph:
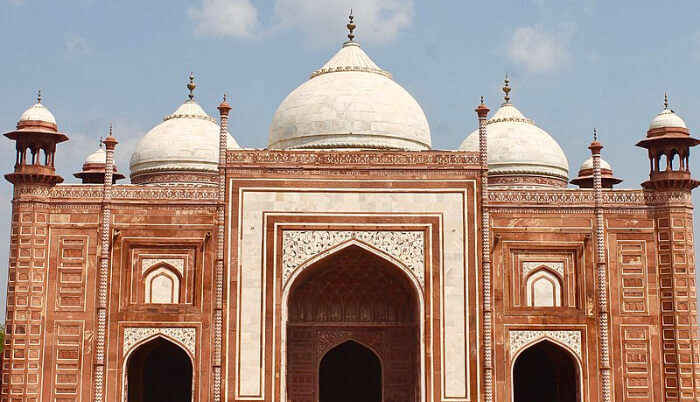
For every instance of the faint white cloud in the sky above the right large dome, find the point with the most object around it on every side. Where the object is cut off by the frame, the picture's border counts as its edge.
(540, 50)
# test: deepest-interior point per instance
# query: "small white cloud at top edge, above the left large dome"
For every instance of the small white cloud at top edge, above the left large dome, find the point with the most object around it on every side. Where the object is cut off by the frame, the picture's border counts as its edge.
(237, 18)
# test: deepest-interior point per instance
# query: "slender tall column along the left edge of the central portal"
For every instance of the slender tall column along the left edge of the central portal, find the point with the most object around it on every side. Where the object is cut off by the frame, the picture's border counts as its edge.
(224, 109)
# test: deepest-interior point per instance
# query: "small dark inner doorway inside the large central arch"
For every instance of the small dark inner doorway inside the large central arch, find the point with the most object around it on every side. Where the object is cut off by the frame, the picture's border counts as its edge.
(350, 372)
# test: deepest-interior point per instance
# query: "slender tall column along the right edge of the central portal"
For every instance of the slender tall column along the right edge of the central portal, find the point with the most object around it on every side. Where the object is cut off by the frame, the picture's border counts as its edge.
(482, 111)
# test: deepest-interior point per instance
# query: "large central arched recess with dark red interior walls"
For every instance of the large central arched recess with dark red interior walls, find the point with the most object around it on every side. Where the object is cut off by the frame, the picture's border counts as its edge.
(357, 296)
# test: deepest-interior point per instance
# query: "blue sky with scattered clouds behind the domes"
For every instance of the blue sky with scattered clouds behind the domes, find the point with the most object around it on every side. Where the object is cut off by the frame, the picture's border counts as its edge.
(574, 65)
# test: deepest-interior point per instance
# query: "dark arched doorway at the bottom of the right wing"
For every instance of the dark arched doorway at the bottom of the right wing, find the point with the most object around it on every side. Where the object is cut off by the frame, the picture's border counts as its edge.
(545, 372)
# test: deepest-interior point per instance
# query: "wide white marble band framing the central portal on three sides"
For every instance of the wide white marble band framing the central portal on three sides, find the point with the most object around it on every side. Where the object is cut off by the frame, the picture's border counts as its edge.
(450, 203)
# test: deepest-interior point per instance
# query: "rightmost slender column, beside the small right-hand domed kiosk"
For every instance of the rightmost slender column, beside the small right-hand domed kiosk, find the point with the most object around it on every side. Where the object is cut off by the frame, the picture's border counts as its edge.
(602, 274)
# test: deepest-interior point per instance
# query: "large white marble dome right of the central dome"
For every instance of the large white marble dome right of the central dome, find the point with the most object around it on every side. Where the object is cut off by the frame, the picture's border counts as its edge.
(516, 146)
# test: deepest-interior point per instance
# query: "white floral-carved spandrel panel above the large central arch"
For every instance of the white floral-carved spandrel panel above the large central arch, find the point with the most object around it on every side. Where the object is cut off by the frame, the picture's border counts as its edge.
(298, 246)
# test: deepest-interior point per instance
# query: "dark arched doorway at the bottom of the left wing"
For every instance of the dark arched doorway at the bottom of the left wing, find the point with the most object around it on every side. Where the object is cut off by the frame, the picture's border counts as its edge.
(159, 371)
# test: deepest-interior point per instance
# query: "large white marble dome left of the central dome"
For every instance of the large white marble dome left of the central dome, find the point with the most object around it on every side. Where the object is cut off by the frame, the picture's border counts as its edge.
(187, 140)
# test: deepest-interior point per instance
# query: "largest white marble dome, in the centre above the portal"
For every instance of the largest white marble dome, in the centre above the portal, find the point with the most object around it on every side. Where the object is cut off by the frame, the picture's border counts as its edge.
(350, 103)
